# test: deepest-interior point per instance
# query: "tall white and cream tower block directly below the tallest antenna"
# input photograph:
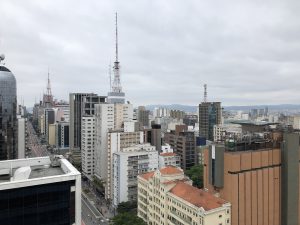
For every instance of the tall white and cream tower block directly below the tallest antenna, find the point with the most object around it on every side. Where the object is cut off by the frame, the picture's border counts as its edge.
(107, 117)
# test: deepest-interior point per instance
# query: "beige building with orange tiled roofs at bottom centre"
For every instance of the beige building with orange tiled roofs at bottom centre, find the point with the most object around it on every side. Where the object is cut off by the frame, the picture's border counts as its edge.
(167, 197)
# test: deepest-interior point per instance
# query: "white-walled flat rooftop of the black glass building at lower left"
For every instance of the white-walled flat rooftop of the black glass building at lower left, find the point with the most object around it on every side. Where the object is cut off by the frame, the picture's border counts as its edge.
(32, 168)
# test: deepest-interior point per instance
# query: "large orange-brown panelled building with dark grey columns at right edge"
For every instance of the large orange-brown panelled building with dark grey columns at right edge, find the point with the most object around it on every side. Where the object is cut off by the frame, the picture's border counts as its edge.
(258, 177)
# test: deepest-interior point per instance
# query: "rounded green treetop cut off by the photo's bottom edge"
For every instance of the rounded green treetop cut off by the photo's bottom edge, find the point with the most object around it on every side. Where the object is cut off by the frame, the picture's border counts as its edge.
(127, 218)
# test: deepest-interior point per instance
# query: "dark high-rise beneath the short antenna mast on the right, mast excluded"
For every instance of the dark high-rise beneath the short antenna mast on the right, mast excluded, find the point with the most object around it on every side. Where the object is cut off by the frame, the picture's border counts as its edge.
(210, 114)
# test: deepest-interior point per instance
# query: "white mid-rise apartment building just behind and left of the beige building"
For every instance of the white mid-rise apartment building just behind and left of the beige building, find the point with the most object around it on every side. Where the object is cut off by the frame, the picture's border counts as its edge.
(127, 165)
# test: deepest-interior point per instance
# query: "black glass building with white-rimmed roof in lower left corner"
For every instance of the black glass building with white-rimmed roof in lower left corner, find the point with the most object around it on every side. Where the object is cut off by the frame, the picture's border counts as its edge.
(40, 191)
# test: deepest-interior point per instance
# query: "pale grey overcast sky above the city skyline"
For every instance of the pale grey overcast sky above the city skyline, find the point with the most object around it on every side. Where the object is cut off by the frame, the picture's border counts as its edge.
(248, 52)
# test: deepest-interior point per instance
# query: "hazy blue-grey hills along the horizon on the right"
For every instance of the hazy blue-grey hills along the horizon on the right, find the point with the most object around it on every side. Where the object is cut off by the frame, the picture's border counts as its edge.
(189, 108)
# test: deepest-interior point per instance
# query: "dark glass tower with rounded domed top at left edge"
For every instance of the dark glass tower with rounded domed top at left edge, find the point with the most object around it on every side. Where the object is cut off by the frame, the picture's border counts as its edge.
(8, 114)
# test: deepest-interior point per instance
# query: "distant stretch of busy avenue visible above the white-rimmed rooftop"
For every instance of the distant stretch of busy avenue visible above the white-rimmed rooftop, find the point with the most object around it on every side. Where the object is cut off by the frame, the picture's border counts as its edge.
(36, 149)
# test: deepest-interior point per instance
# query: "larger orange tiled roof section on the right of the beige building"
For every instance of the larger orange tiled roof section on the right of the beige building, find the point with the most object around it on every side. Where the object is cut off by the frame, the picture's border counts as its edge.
(197, 197)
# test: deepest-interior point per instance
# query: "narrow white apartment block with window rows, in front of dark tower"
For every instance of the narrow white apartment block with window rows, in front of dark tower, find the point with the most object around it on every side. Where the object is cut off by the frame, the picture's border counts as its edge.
(88, 146)
